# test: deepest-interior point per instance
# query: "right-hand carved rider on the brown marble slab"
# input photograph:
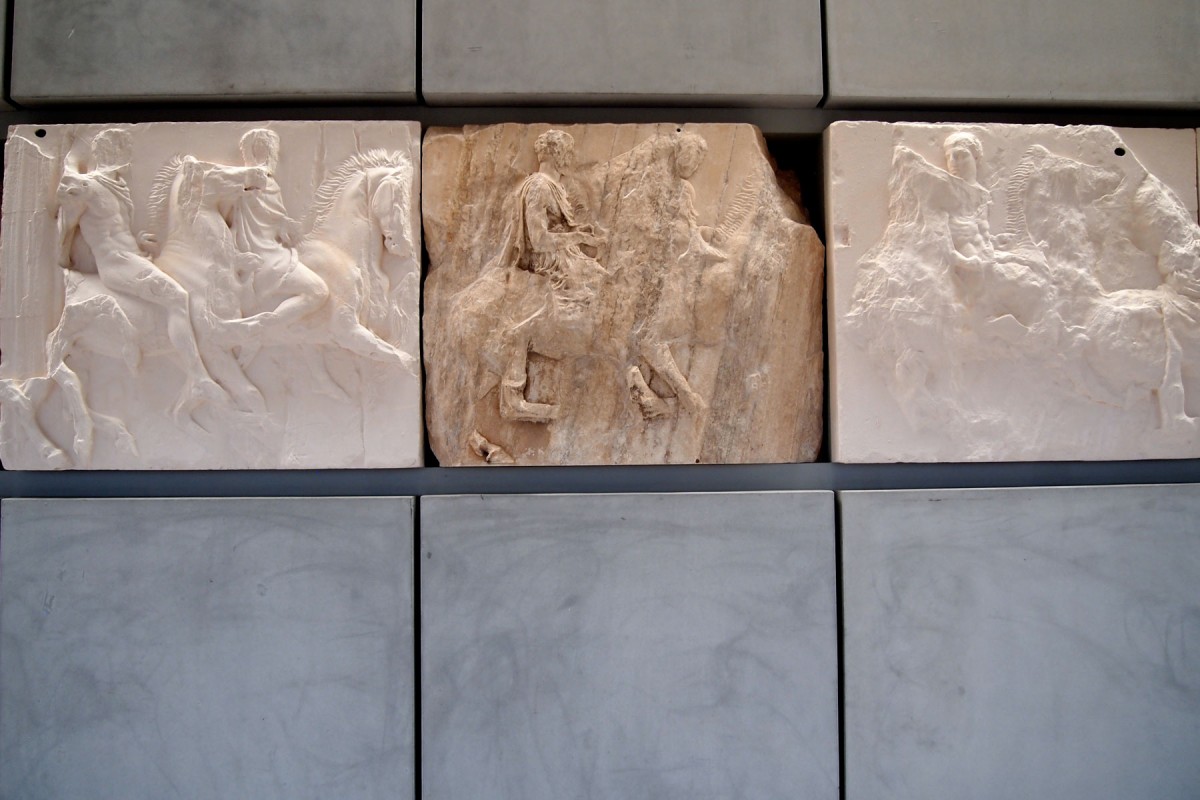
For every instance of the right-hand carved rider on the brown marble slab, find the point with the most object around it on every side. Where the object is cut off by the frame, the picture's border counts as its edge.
(692, 250)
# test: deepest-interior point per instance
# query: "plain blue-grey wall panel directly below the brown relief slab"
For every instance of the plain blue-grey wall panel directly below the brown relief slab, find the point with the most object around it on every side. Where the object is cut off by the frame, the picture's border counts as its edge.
(673, 646)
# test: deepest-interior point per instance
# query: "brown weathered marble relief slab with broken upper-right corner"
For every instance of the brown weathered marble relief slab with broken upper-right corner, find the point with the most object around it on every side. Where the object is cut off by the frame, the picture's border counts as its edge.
(619, 294)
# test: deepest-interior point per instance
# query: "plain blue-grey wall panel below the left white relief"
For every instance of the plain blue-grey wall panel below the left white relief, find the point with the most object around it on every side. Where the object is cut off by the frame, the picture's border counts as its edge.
(207, 649)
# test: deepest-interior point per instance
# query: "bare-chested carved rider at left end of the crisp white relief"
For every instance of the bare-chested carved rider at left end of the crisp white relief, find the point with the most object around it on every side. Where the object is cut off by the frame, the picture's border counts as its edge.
(95, 215)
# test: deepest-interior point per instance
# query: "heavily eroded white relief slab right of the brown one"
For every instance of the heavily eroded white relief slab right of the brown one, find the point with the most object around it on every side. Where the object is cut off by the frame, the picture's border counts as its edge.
(1012, 293)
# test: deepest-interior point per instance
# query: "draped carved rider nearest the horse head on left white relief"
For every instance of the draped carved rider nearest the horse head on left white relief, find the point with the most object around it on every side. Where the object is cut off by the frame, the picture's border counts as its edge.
(280, 290)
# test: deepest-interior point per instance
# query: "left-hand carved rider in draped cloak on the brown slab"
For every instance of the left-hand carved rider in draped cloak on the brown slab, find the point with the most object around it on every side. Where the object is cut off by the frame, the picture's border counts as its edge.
(545, 238)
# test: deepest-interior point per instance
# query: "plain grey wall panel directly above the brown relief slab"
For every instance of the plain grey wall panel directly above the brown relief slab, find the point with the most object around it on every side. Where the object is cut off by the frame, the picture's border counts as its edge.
(758, 52)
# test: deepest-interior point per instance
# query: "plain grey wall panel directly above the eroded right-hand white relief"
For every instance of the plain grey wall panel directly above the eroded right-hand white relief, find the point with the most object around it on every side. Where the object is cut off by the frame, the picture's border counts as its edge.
(1071, 52)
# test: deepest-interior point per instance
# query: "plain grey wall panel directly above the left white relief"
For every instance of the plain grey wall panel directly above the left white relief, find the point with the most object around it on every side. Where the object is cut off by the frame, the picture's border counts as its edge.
(67, 51)
